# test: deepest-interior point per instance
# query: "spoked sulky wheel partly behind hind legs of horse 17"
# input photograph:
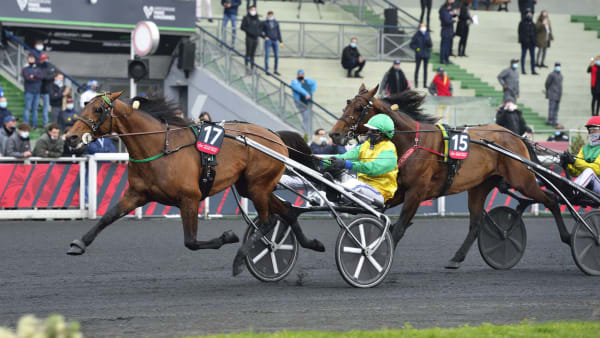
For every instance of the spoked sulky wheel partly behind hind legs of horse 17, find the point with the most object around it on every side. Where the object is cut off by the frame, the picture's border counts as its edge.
(273, 257)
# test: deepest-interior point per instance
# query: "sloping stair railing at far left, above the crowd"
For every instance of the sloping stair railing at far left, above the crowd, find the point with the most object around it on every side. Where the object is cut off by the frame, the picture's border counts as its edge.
(14, 57)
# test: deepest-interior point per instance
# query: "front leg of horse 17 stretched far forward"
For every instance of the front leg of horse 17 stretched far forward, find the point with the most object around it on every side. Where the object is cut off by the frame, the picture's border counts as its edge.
(131, 200)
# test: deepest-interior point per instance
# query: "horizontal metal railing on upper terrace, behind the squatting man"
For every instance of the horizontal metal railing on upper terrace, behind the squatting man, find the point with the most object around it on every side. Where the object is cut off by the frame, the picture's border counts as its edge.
(328, 40)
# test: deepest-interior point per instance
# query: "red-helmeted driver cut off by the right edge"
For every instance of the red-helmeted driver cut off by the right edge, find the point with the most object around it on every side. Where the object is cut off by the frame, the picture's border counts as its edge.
(586, 165)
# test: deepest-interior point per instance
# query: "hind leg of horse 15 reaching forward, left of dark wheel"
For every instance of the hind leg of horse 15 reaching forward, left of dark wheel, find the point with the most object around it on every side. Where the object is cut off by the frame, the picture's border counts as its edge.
(476, 200)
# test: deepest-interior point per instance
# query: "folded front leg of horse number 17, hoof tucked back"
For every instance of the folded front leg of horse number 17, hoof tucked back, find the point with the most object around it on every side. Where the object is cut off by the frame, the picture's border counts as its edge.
(189, 217)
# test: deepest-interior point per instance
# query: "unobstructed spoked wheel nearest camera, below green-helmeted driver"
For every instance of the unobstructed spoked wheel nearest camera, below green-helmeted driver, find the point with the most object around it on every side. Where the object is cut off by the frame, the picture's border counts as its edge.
(364, 268)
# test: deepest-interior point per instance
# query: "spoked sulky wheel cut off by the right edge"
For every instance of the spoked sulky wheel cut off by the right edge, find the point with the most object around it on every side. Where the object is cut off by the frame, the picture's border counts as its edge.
(584, 246)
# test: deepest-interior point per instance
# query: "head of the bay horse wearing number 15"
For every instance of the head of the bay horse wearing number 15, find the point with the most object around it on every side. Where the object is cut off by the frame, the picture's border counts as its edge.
(356, 113)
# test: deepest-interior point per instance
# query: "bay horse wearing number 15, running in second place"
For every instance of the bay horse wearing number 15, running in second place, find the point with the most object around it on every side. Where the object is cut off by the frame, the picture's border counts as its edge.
(422, 176)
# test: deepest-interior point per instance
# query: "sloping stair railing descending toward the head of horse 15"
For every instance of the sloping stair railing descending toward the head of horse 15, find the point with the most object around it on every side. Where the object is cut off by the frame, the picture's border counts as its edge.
(262, 87)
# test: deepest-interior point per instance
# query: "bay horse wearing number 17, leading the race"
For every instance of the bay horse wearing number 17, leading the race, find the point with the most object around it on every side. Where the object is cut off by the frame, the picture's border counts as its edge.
(152, 129)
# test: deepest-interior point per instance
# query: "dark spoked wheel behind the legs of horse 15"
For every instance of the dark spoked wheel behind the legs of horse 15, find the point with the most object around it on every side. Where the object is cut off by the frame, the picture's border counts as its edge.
(502, 238)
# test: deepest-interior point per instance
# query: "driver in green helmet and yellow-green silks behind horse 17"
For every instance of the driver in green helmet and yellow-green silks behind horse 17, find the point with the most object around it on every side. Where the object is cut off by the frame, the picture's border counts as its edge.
(375, 161)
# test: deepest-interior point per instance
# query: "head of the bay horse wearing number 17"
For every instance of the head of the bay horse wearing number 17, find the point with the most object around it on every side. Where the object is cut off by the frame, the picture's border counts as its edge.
(95, 120)
